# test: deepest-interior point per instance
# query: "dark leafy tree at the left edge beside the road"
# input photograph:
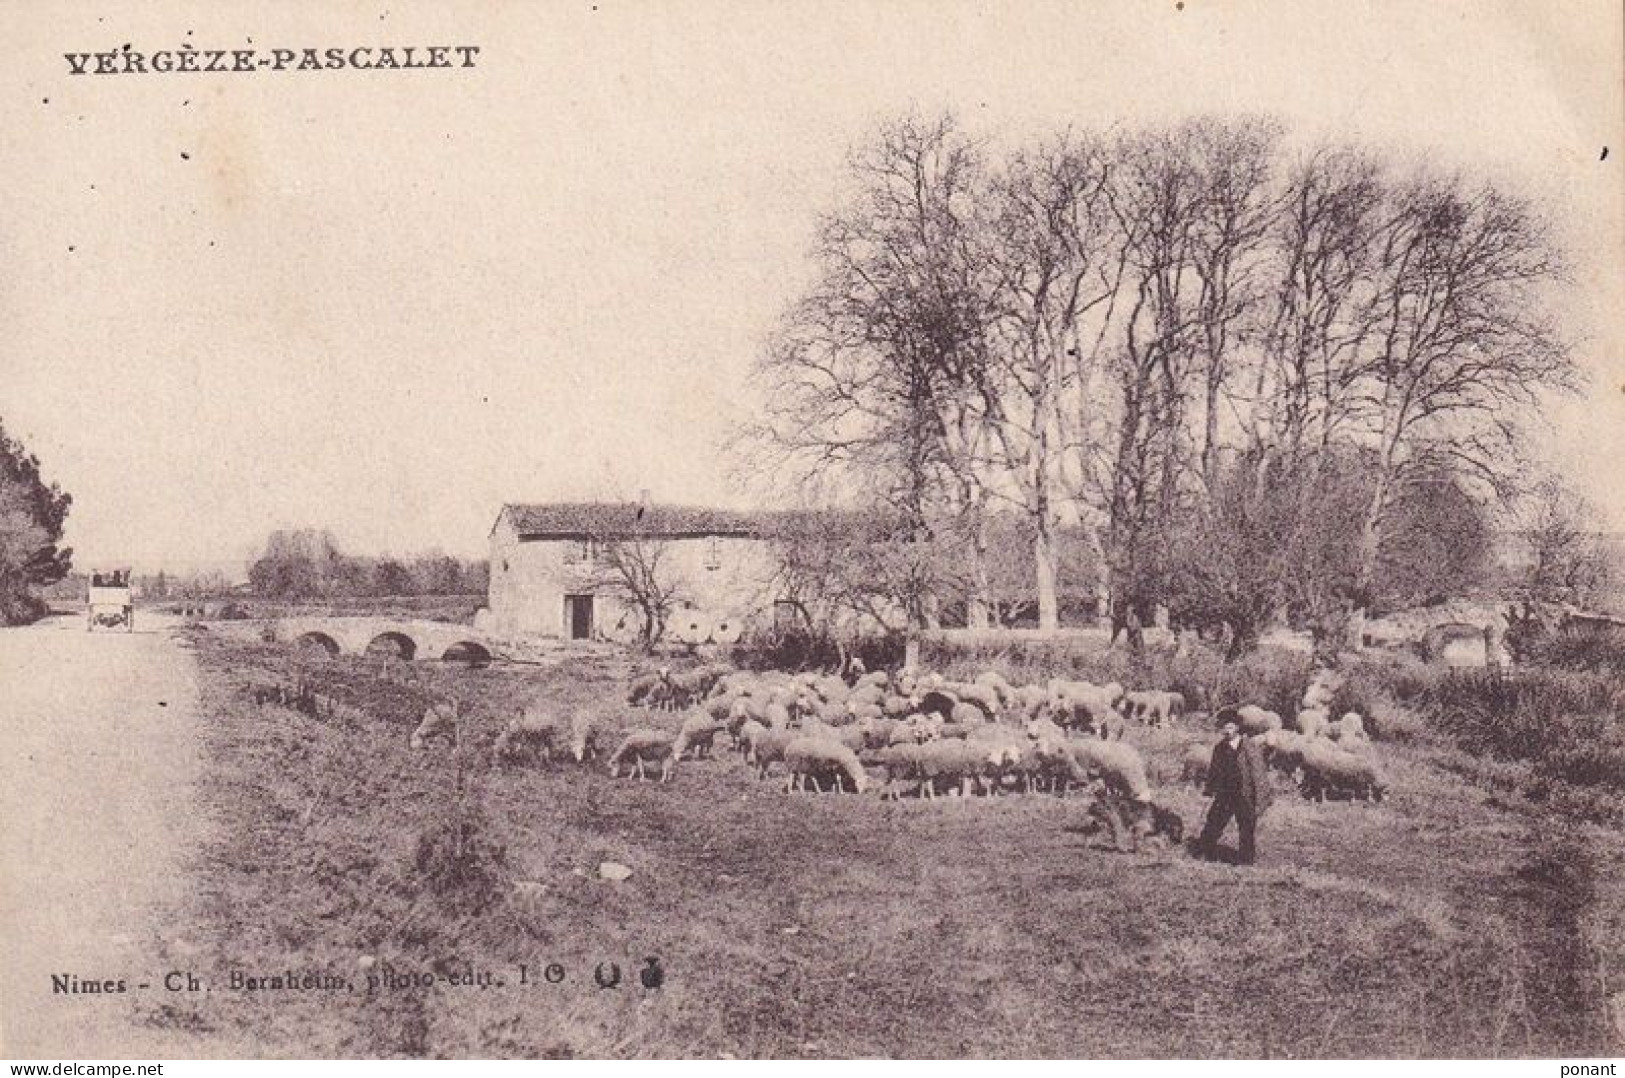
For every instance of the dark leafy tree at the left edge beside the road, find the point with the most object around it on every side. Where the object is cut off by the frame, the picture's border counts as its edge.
(32, 519)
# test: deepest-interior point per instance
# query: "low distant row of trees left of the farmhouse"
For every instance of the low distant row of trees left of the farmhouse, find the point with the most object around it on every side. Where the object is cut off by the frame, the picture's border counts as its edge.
(306, 563)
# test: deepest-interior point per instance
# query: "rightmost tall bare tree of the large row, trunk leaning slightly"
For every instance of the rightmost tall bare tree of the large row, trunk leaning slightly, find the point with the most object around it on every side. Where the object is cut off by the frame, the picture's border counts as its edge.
(1460, 342)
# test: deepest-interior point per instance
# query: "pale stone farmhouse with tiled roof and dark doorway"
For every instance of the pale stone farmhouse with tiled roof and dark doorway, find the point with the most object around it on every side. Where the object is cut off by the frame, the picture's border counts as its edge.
(557, 570)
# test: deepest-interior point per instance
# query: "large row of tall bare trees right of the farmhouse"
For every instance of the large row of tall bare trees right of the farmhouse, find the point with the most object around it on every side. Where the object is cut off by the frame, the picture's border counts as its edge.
(1250, 380)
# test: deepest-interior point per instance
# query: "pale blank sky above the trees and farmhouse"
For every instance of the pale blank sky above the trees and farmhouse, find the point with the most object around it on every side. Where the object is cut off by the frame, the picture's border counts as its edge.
(389, 302)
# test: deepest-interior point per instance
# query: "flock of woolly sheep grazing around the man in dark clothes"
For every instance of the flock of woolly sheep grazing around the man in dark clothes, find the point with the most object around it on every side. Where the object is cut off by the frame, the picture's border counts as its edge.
(917, 734)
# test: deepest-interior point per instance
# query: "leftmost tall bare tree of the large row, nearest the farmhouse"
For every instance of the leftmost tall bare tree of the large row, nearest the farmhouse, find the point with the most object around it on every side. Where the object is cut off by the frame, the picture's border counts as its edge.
(869, 375)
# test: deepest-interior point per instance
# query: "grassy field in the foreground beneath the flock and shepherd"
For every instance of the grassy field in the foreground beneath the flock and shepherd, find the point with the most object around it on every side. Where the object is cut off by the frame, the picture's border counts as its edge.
(1454, 919)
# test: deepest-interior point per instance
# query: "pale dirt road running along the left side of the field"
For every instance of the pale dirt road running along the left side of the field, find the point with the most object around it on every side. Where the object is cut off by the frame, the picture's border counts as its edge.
(97, 773)
